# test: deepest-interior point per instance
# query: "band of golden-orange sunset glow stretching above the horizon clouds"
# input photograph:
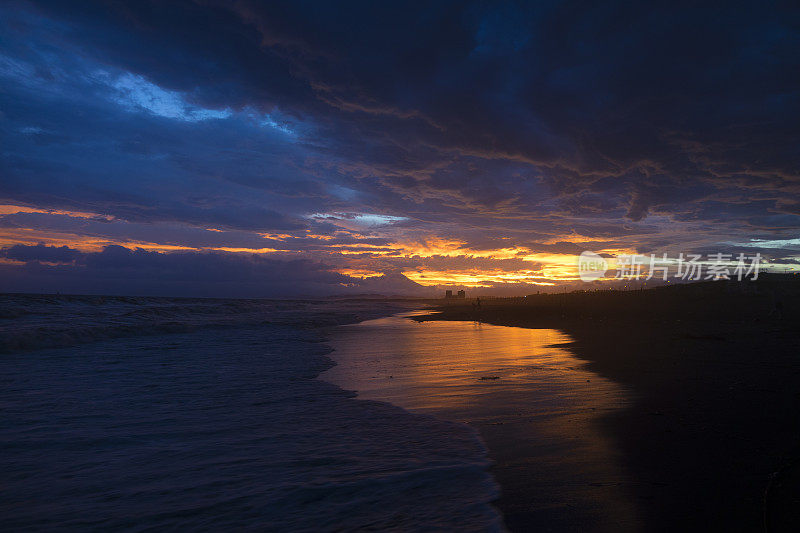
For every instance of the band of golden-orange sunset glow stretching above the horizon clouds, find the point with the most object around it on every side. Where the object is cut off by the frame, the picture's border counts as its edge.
(425, 259)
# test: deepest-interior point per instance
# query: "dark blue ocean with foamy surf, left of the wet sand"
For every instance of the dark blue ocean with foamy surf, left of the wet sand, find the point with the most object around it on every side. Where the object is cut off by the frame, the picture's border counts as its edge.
(197, 414)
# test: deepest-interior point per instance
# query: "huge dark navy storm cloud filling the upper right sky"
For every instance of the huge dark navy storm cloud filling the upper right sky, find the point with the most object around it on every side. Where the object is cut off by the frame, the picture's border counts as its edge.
(649, 97)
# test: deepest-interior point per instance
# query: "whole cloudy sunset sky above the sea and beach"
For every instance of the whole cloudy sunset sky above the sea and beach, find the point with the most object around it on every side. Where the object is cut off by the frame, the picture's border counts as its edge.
(277, 149)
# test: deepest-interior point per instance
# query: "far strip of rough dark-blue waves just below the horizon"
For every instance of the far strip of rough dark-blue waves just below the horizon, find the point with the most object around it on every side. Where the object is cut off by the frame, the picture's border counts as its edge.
(29, 322)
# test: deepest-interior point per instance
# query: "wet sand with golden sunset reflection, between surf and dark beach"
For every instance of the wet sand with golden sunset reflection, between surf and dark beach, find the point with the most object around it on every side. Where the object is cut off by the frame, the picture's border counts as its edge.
(533, 404)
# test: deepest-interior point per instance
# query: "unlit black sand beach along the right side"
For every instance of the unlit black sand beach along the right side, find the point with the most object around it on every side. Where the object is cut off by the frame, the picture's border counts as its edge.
(711, 441)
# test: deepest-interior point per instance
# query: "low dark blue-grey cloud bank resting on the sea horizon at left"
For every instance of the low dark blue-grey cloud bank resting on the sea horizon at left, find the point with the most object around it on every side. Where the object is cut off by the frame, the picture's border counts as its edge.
(119, 270)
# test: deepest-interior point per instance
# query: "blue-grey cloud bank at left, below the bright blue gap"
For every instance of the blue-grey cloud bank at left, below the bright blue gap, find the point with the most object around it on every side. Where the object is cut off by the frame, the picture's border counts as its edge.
(143, 167)
